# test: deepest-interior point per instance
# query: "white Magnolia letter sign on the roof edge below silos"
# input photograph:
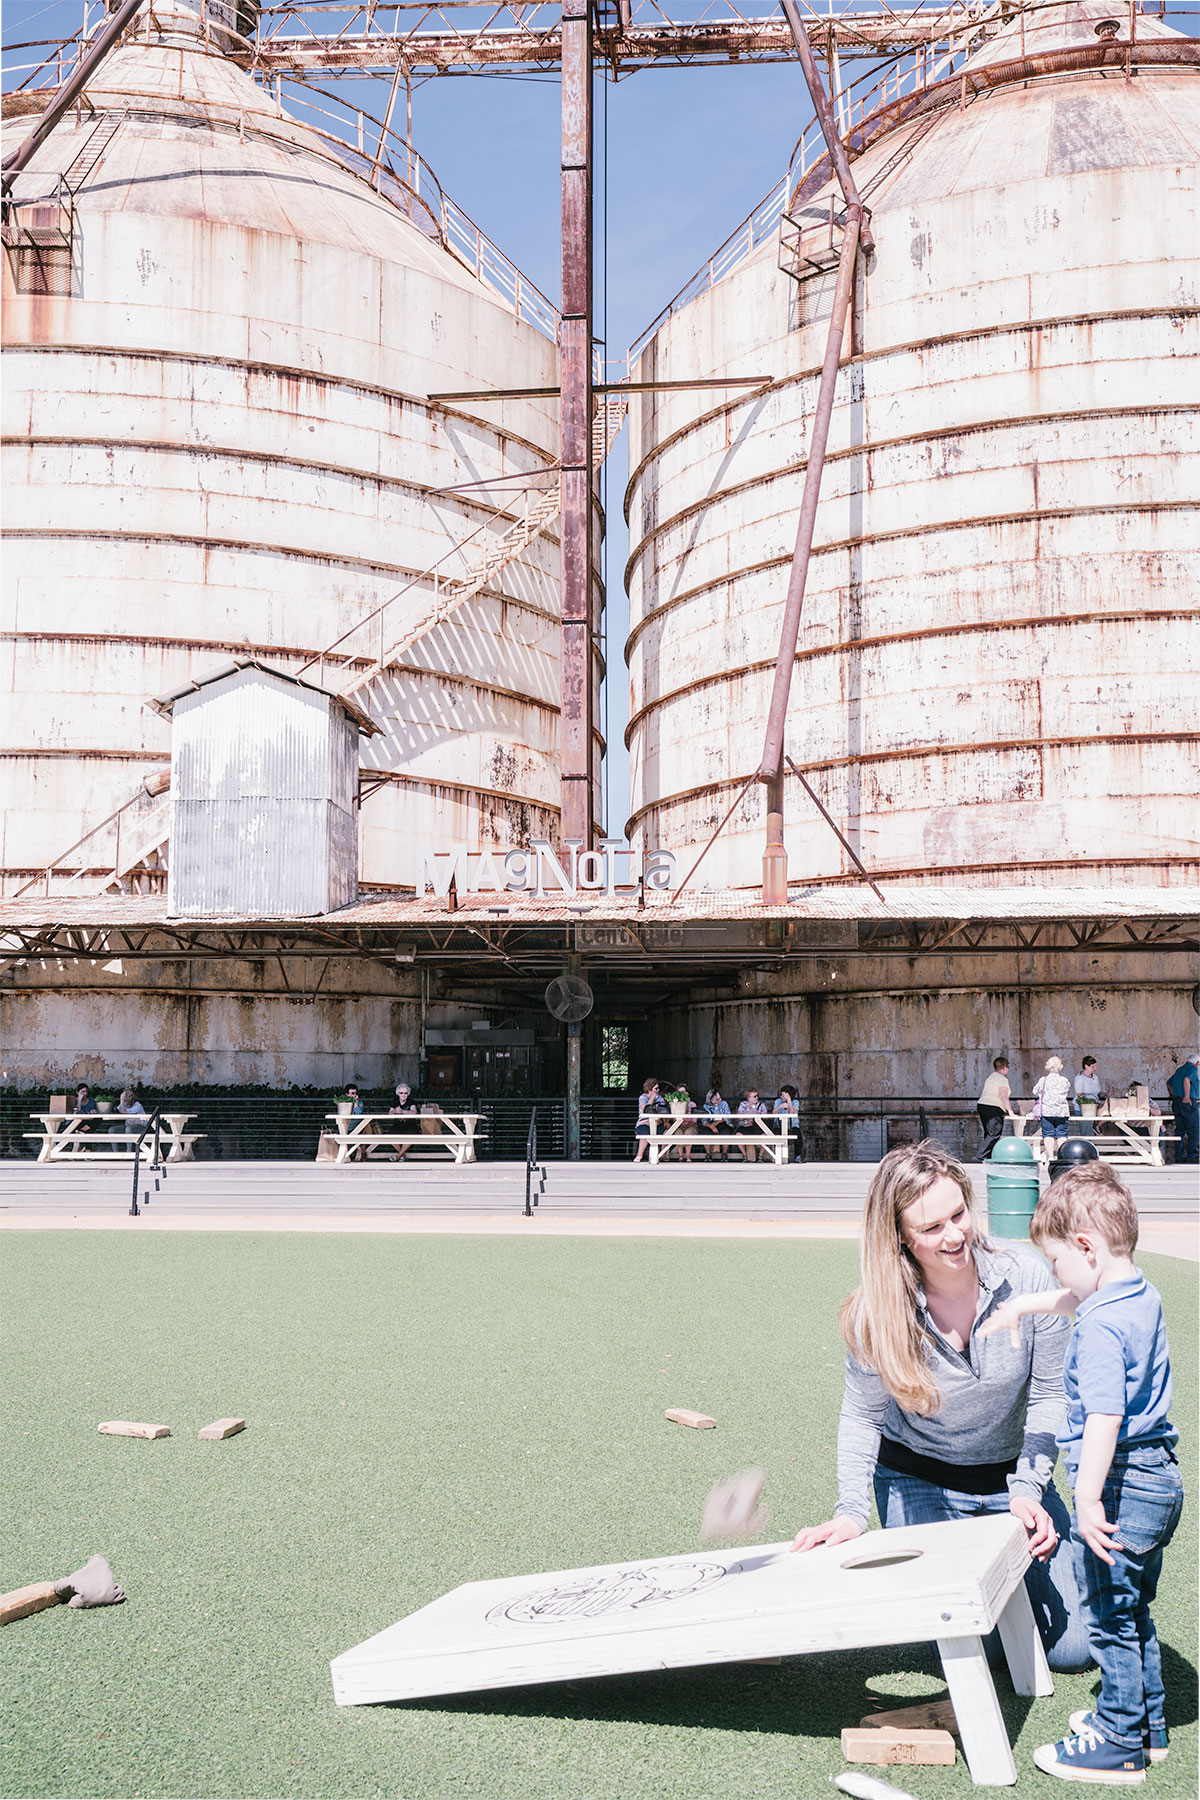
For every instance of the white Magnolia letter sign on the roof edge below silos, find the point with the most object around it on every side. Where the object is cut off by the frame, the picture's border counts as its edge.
(613, 868)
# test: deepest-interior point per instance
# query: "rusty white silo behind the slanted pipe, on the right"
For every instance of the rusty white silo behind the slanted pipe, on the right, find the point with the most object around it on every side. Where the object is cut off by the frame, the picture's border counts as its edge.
(994, 681)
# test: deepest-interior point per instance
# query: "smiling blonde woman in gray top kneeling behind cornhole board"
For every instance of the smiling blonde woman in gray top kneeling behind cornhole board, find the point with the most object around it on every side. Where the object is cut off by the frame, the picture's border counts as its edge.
(940, 1421)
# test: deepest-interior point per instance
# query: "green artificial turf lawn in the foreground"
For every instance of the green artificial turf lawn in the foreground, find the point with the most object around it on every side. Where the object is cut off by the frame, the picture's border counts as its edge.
(427, 1412)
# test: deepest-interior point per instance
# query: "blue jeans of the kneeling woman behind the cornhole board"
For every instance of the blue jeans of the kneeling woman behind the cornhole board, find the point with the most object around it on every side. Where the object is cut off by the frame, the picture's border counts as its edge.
(1055, 1587)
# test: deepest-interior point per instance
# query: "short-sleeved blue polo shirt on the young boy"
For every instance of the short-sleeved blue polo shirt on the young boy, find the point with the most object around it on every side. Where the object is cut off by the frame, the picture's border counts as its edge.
(1118, 1362)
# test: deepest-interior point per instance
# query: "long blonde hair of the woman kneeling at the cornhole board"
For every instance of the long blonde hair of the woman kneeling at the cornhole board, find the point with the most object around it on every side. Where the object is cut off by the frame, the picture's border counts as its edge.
(881, 1318)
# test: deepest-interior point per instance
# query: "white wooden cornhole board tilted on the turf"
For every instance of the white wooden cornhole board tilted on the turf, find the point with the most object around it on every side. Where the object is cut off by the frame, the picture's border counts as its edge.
(942, 1583)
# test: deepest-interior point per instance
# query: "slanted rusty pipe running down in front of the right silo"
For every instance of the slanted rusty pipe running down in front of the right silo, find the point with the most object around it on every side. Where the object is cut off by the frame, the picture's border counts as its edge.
(771, 769)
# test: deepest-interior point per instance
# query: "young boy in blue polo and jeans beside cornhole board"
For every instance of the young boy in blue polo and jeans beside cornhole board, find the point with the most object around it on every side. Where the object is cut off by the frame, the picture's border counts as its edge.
(1120, 1450)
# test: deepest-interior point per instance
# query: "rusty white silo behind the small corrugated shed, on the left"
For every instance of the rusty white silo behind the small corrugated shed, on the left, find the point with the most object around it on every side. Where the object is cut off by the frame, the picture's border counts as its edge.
(220, 444)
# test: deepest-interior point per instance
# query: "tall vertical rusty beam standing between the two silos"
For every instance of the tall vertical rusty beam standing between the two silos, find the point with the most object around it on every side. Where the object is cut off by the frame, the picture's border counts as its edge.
(577, 823)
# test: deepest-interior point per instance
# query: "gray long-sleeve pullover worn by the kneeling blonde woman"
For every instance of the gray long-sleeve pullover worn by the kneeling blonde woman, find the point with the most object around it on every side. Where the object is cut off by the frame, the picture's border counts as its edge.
(996, 1401)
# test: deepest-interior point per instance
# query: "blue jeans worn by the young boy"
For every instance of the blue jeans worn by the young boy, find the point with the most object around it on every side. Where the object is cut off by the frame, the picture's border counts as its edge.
(1143, 1497)
